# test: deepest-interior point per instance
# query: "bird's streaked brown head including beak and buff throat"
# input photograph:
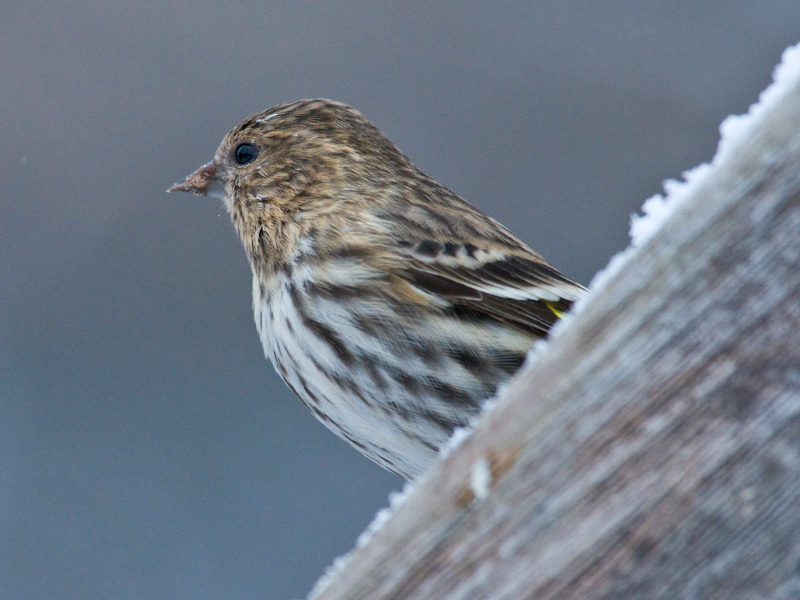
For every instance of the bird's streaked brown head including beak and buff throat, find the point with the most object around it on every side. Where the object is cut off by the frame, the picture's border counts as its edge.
(295, 163)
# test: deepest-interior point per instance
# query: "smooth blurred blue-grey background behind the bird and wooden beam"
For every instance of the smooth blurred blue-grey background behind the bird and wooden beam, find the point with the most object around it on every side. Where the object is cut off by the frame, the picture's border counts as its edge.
(147, 449)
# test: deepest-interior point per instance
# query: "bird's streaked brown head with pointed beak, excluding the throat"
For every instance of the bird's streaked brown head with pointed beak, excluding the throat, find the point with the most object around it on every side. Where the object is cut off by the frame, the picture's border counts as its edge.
(277, 157)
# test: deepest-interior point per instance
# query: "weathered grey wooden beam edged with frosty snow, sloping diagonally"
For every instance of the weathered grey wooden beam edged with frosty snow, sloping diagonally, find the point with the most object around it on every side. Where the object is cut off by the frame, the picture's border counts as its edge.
(653, 449)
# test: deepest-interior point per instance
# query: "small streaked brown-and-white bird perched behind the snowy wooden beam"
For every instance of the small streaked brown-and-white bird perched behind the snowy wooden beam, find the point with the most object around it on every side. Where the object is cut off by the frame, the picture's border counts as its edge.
(389, 305)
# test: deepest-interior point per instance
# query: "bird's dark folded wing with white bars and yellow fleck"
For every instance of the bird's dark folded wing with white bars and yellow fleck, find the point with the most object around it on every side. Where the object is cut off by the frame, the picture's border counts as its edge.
(520, 290)
